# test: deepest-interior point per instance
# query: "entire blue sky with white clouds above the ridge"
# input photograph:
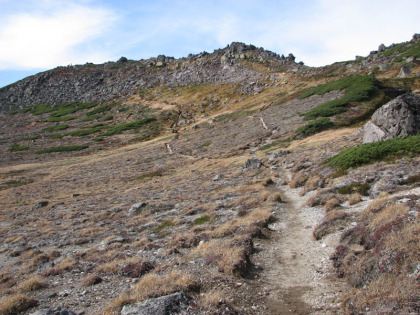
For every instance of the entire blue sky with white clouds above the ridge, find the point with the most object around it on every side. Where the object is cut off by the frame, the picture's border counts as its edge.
(37, 35)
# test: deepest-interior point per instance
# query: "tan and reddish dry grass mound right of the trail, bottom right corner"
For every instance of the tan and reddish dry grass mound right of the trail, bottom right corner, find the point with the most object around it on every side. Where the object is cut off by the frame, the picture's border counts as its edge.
(384, 274)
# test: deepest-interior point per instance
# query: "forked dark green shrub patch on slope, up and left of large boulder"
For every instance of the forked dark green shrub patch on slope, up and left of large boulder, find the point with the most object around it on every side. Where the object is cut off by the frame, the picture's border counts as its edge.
(358, 89)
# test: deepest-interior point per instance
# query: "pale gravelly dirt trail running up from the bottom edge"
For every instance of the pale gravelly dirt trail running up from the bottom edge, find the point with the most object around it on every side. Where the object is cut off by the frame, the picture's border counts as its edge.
(297, 275)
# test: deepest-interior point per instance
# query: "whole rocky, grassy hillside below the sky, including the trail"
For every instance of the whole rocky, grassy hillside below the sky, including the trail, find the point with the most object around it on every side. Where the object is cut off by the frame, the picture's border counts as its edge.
(232, 182)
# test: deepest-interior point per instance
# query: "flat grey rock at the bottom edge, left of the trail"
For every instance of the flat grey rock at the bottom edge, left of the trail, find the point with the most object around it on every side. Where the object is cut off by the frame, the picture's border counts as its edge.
(164, 305)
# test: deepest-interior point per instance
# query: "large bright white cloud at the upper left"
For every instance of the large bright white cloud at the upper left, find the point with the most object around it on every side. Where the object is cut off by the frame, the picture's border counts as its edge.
(49, 35)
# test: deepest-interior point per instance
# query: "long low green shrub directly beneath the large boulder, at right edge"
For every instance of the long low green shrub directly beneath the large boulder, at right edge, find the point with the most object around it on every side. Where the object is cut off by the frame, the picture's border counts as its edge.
(373, 152)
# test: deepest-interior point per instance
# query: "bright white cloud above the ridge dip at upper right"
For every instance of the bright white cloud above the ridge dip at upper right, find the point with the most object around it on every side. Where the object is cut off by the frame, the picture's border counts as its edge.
(338, 31)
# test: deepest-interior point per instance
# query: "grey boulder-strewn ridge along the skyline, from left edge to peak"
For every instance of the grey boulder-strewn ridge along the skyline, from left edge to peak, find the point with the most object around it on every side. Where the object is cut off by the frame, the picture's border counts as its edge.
(91, 82)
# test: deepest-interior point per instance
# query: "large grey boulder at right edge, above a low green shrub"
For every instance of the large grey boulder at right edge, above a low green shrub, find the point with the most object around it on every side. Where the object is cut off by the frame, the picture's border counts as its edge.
(398, 118)
